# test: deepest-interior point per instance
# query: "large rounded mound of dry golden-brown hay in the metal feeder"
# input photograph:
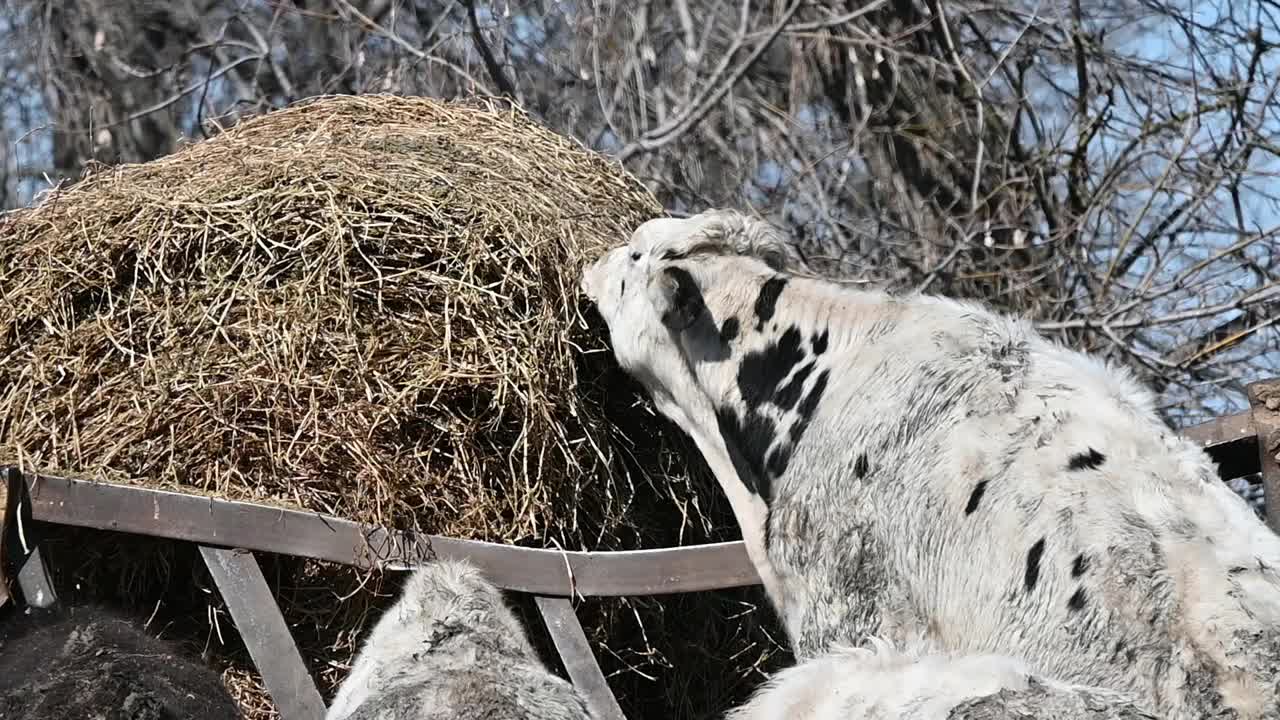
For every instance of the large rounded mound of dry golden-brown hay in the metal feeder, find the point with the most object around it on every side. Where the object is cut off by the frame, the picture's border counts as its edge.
(365, 307)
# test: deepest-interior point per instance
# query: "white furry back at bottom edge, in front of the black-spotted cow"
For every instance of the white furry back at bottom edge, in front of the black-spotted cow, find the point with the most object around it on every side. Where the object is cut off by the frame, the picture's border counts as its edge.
(881, 683)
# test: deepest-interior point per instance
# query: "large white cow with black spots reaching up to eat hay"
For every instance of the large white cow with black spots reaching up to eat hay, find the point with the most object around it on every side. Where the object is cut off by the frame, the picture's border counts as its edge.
(925, 470)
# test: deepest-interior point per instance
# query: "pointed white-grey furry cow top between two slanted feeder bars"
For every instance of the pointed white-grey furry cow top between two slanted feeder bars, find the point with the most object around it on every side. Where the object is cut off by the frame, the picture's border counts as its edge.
(450, 649)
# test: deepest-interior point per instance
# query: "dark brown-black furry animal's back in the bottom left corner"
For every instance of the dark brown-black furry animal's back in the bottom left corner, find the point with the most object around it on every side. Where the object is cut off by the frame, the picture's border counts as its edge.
(89, 663)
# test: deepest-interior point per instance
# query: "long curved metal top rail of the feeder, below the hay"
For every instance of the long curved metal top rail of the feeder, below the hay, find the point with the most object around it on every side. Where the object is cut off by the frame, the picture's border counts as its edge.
(207, 521)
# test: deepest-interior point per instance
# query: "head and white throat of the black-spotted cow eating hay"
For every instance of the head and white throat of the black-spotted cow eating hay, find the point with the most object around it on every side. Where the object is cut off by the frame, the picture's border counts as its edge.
(674, 299)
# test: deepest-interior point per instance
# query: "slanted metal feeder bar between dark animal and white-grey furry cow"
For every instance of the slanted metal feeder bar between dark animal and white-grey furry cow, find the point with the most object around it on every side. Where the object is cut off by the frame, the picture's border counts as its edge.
(262, 627)
